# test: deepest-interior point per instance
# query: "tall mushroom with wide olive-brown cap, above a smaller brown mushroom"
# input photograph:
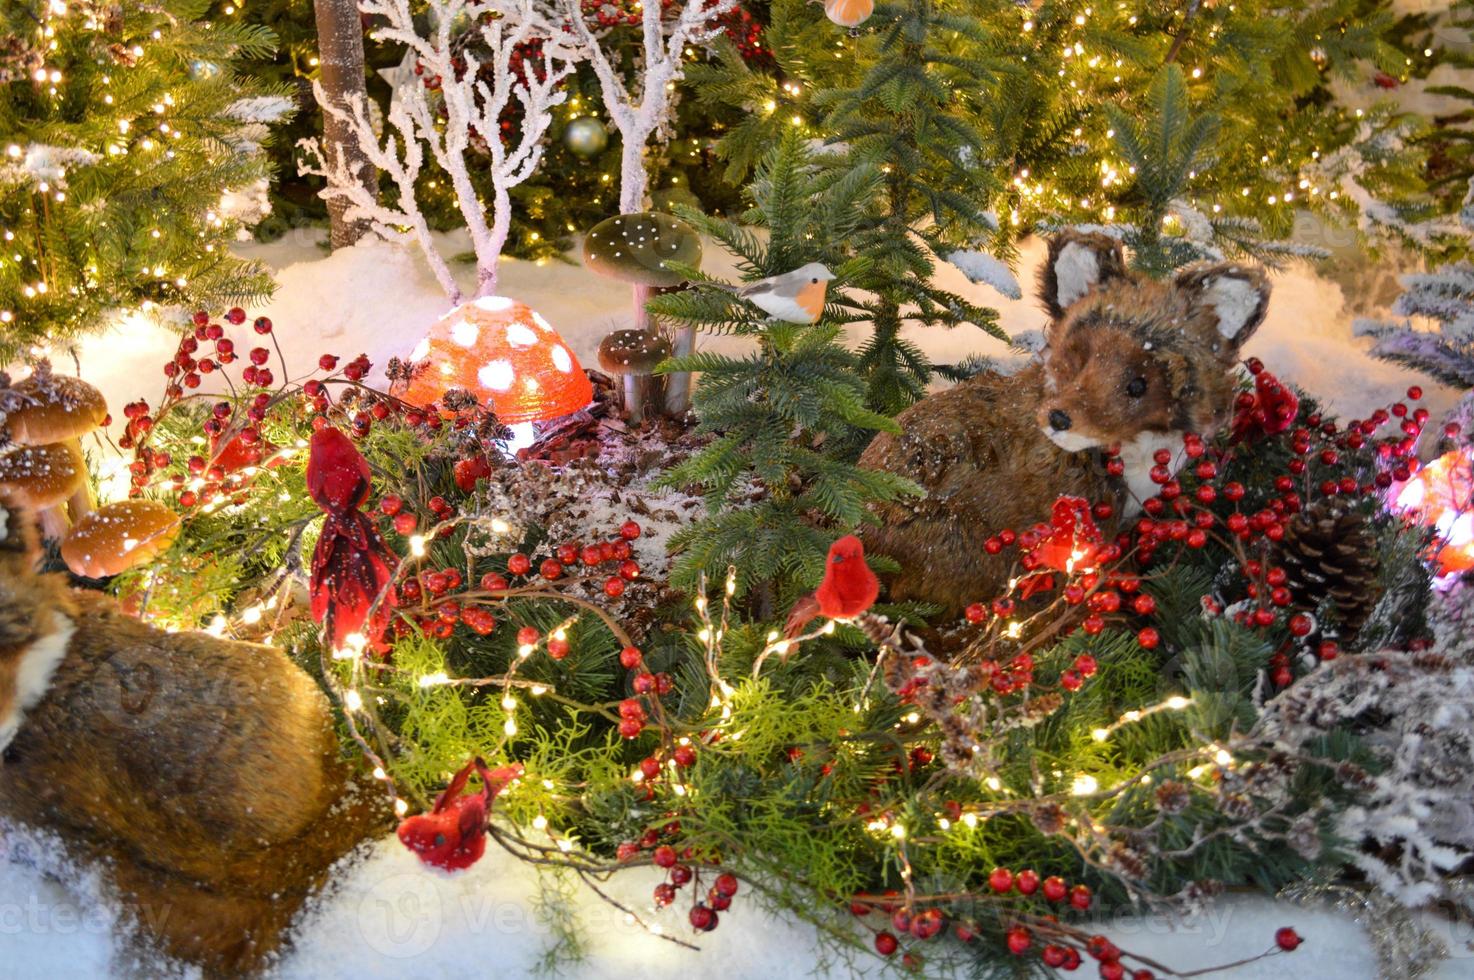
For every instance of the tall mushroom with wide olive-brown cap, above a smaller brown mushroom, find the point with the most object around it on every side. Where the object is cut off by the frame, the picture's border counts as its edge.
(640, 250)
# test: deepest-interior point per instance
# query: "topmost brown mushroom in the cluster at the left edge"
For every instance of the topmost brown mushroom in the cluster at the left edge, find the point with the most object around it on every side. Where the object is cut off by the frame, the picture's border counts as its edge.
(45, 412)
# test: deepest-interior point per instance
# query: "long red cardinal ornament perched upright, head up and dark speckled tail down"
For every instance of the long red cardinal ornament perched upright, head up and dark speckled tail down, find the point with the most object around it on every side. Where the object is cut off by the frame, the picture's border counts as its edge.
(352, 565)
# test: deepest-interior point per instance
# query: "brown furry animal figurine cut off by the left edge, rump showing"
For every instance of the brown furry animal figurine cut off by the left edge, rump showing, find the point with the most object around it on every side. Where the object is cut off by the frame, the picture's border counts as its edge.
(203, 774)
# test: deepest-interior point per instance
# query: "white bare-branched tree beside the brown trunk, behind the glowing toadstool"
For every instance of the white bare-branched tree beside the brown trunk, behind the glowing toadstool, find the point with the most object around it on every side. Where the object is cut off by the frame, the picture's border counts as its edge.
(472, 105)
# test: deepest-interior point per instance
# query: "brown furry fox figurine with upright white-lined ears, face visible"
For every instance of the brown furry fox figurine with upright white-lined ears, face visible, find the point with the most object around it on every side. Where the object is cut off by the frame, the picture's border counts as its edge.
(1128, 362)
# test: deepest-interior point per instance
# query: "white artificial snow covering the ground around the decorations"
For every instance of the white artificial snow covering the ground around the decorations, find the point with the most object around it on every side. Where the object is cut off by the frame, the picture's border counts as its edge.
(387, 916)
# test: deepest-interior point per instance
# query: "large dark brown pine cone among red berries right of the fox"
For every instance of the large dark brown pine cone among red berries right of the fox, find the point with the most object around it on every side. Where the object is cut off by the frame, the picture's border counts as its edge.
(1330, 555)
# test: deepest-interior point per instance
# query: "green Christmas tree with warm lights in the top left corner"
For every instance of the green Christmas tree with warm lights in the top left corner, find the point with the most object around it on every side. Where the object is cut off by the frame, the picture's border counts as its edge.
(133, 157)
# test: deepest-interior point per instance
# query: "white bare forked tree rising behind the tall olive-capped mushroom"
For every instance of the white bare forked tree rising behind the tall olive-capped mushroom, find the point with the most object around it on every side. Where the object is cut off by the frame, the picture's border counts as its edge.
(642, 107)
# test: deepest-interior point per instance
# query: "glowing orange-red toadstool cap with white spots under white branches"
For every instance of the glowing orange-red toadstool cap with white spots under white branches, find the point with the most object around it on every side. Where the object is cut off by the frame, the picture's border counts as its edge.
(505, 354)
